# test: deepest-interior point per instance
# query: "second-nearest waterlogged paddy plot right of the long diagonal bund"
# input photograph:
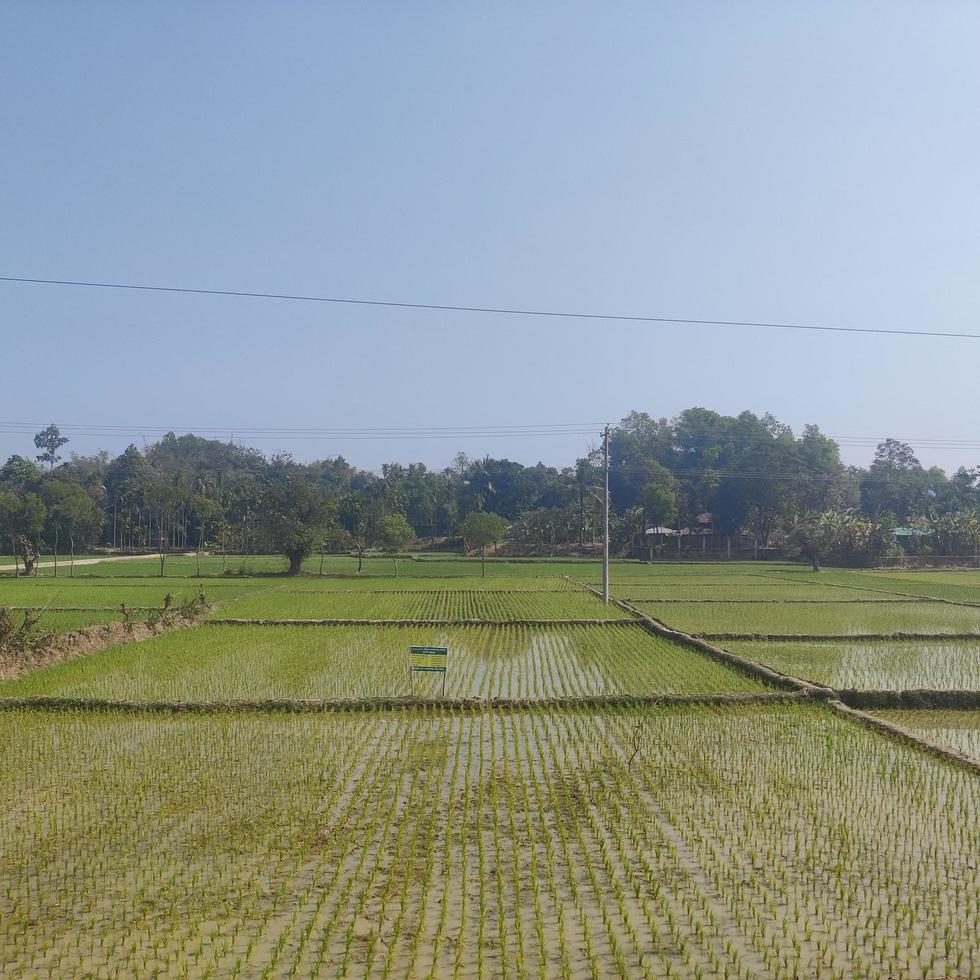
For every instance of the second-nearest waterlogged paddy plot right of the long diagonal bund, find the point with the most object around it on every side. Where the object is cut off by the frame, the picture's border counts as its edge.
(873, 664)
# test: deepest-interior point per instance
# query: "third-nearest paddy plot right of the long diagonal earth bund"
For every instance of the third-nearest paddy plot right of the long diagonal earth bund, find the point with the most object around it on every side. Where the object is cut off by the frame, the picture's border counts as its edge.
(845, 619)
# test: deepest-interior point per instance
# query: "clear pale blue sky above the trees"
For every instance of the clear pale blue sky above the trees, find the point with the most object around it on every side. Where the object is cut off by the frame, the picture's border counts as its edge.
(810, 163)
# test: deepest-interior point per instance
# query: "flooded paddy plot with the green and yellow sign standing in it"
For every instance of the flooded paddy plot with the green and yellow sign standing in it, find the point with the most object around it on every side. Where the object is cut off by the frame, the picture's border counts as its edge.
(216, 663)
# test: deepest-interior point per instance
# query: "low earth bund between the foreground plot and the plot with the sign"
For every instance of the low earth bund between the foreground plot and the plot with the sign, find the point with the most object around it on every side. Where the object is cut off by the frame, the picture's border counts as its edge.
(324, 706)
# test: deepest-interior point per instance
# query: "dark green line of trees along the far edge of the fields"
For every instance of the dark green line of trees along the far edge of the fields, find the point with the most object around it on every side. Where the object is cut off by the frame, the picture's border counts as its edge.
(734, 475)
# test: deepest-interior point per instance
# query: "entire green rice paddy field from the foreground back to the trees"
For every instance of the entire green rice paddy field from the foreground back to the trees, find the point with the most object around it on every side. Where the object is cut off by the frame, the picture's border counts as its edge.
(593, 795)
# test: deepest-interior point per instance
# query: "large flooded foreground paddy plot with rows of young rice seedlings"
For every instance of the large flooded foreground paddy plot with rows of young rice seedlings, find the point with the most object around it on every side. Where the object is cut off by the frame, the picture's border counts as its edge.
(679, 842)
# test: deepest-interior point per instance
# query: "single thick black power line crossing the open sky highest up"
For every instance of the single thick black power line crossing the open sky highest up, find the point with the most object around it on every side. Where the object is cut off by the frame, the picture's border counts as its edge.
(504, 311)
